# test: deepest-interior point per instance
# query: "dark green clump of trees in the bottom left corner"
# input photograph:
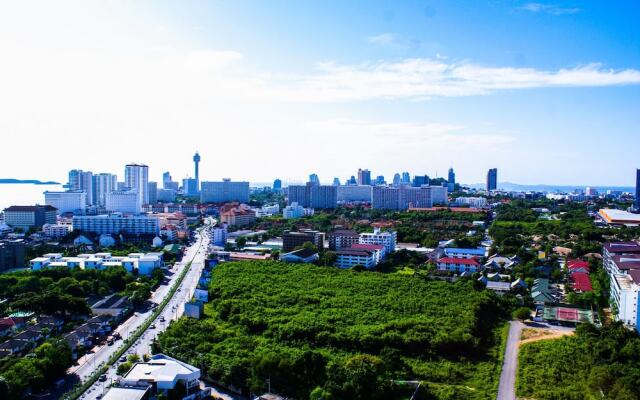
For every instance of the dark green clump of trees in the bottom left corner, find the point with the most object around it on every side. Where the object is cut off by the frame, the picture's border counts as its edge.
(48, 363)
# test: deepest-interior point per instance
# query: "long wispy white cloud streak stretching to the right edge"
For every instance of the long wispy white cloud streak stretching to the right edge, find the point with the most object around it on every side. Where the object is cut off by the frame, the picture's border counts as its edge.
(420, 78)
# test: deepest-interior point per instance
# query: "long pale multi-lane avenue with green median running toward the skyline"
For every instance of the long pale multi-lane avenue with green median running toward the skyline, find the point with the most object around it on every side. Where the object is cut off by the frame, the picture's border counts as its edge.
(196, 253)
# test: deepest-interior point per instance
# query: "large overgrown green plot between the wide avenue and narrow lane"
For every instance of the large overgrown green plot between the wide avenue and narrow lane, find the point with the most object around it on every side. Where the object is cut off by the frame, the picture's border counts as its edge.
(343, 334)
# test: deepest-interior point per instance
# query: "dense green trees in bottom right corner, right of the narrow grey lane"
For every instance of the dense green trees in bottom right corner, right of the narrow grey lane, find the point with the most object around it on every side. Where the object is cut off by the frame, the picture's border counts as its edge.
(593, 364)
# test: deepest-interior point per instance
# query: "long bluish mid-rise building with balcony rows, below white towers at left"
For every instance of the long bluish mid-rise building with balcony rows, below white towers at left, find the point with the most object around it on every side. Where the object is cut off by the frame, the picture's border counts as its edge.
(117, 223)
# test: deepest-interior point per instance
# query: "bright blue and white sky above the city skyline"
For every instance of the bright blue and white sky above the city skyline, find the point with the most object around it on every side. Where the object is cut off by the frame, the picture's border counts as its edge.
(547, 92)
